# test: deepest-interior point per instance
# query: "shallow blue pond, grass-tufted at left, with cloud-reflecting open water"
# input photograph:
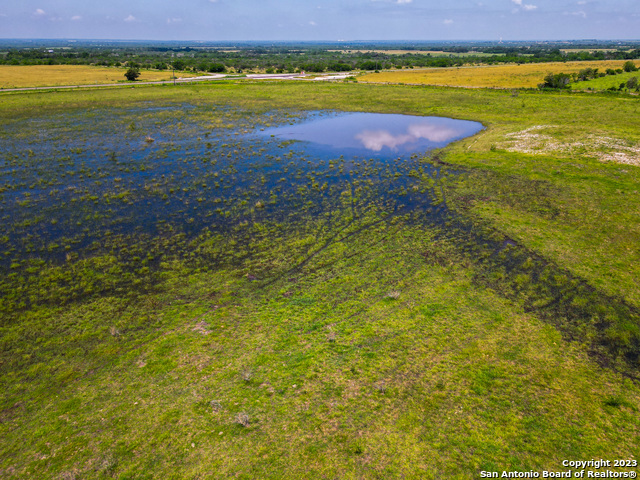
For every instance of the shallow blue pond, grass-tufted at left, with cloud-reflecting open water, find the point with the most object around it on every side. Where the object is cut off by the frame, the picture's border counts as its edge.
(68, 182)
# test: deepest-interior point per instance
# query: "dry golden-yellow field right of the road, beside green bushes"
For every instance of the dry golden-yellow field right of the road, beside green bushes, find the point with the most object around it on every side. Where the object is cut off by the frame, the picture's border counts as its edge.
(501, 76)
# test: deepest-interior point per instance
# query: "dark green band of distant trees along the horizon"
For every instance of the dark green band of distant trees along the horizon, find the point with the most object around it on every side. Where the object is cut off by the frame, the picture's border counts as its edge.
(296, 58)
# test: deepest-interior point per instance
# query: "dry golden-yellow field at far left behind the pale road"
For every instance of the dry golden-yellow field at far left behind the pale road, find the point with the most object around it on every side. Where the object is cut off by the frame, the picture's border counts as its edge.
(58, 75)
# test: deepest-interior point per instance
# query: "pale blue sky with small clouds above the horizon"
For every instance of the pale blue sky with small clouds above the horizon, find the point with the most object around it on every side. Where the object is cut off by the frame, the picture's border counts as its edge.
(321, 19)
